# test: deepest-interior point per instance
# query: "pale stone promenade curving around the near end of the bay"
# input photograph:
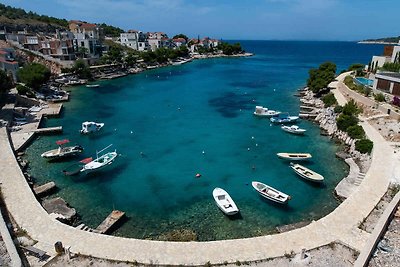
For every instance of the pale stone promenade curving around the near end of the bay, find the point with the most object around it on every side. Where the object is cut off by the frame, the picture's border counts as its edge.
(340, 225)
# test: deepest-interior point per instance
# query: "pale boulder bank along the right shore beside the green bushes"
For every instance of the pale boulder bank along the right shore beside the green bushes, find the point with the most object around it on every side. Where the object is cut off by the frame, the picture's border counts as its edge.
(326, 118)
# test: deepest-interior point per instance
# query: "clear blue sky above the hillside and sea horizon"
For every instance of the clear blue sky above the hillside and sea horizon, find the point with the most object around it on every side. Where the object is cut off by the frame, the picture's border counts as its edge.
(344, 20)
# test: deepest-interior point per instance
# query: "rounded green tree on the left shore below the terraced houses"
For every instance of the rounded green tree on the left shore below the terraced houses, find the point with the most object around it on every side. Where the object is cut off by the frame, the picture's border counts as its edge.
(34, 75)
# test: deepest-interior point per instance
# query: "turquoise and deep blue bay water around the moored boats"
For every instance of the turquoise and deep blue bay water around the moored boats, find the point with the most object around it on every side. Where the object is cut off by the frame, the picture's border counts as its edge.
(172, 115)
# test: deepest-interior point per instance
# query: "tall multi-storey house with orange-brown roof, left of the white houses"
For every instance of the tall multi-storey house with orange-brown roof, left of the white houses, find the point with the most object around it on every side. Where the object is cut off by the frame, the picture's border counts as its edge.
(88, 36)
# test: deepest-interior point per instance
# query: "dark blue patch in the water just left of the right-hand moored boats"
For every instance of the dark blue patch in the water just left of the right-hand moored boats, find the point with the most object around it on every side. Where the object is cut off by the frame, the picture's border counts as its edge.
(230, 104)
